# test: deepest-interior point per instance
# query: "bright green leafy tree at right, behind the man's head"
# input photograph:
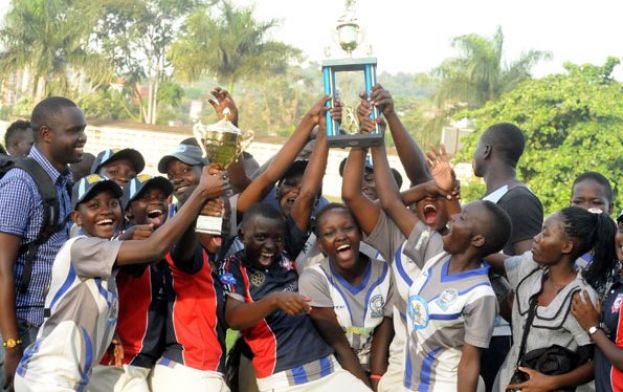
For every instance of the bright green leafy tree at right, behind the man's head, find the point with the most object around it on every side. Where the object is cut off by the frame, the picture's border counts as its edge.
(572, 123)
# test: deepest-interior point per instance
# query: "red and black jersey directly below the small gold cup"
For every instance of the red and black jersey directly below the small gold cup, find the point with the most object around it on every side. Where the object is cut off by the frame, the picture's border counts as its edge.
(195, 326)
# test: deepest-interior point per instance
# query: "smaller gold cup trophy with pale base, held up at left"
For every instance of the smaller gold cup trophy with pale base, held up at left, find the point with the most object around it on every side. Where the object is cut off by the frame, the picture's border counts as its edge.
(222, 144)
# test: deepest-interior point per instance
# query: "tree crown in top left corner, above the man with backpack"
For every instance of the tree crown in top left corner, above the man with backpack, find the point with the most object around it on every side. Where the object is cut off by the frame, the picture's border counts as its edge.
(51, 39)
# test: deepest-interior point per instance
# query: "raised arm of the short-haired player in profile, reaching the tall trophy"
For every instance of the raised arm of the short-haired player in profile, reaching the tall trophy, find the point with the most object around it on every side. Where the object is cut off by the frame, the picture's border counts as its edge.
(387, 189)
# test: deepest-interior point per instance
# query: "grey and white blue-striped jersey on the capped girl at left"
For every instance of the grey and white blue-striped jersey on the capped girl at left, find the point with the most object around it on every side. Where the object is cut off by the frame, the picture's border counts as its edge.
(82, 308)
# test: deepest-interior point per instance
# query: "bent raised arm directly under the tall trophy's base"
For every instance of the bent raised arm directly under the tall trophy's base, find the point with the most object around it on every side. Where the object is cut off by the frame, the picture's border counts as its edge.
(365, 210)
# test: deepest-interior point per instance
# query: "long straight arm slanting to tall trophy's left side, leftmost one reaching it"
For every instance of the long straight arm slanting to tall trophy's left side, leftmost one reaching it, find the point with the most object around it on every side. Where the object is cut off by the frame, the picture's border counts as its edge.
(258, 188)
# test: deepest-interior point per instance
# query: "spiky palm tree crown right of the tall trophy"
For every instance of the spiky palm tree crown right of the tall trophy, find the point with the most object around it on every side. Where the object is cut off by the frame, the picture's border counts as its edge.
(478, 75)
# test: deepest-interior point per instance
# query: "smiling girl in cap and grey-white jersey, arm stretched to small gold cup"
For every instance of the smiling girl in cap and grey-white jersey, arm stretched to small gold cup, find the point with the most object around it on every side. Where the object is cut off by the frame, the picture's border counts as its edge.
(81, 305)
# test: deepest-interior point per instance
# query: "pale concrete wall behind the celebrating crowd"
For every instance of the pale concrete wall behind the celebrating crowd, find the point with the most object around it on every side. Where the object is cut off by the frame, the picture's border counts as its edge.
(154, 144)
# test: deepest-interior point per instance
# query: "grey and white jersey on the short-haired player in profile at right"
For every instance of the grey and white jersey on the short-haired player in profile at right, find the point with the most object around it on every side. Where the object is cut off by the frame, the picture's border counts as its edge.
(444, 311)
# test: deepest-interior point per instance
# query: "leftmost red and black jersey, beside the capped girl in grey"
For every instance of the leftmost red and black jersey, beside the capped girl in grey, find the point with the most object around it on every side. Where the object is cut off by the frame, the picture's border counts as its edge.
(142, 311)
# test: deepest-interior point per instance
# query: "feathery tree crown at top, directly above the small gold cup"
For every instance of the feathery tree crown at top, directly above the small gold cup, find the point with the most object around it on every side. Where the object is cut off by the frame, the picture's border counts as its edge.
(228, 43)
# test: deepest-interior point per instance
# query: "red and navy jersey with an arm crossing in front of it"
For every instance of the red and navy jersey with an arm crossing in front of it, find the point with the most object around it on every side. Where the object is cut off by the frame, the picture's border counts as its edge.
(276, 341)
